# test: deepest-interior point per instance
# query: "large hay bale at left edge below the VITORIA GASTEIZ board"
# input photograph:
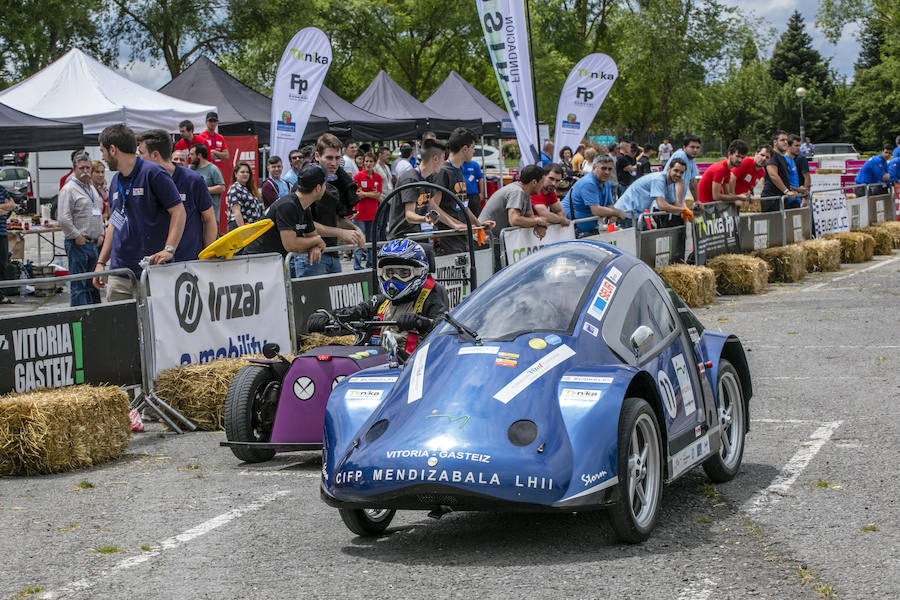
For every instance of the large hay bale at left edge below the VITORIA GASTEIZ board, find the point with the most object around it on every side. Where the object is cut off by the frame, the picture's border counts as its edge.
(50, 431)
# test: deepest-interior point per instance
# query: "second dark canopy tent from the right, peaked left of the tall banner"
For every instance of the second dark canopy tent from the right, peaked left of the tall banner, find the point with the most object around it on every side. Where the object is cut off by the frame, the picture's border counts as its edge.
(385, 97)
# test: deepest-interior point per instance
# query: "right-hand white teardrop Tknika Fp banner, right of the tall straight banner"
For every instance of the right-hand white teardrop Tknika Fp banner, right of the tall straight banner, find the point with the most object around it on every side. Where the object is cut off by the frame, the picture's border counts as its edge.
(585, 90)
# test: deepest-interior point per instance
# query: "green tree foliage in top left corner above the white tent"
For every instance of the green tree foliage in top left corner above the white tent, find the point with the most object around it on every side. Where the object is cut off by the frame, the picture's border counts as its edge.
(34, 33)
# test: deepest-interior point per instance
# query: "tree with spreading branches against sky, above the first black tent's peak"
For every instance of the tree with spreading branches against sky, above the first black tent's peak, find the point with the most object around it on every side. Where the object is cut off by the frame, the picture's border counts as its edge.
(174, 32)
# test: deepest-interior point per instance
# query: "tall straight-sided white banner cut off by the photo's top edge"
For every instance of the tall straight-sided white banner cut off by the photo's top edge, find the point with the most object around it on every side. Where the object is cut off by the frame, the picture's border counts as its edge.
(506, 33)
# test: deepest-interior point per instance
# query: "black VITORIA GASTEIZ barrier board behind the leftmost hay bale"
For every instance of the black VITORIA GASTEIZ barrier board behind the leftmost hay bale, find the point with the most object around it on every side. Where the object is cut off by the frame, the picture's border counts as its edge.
(70, 346)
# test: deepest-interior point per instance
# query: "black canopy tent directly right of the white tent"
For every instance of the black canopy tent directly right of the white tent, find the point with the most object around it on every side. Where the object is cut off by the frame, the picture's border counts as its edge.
(242, 110)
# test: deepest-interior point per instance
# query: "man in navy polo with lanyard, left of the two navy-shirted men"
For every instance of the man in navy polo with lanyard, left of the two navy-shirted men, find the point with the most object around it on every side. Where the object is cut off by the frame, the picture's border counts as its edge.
(146, 213)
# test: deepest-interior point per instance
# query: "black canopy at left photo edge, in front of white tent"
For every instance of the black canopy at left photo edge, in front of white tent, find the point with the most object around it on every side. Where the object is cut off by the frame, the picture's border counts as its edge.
(22, 132)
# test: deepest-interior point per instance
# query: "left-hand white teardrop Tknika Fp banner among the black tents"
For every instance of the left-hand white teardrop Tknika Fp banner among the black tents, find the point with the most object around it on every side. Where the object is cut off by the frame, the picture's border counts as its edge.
(300, 75)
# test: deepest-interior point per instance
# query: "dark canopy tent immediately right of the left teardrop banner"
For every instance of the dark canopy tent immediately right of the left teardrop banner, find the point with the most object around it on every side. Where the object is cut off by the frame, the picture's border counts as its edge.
(349, 121)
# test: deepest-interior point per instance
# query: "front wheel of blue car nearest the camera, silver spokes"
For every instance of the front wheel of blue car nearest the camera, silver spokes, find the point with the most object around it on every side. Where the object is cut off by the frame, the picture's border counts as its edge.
(634, 514)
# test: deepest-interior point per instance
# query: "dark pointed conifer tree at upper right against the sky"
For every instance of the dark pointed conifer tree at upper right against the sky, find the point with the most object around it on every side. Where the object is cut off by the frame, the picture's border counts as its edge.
(794, 56)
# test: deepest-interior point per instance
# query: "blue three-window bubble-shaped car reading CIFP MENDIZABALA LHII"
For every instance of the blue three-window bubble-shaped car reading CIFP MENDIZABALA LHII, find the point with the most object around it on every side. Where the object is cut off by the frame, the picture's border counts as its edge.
(572, 380)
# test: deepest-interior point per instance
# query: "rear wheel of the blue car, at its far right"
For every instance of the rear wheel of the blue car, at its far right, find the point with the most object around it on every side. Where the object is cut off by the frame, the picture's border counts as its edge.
(724, 464)
